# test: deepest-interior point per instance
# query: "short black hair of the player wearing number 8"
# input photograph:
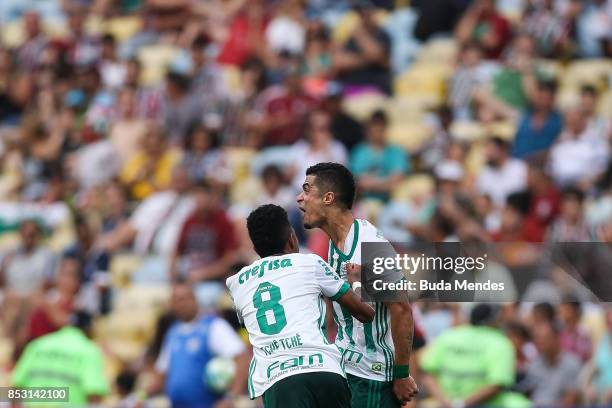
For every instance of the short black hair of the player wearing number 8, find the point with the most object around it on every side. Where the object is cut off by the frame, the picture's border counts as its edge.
(269, 229)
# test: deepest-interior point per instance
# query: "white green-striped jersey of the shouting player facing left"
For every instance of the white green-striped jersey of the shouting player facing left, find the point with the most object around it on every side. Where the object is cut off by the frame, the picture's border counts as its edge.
(367, 348)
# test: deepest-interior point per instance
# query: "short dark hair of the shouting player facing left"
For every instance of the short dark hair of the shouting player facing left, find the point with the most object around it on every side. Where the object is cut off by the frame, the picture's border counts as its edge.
(336, 178)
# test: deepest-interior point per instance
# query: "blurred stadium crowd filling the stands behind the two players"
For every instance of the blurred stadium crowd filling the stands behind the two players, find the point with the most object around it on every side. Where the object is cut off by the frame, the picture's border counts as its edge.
(136, 135)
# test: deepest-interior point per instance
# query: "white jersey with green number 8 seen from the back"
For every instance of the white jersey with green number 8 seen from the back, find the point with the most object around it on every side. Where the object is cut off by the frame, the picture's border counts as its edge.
(280, 300)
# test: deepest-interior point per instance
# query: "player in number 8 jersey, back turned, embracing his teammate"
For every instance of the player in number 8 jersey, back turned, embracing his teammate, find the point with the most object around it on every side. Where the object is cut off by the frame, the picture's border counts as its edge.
(280, 300)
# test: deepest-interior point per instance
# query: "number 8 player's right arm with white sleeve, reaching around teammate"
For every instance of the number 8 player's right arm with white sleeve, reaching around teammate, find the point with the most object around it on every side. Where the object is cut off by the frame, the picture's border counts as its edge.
(336, 289)
